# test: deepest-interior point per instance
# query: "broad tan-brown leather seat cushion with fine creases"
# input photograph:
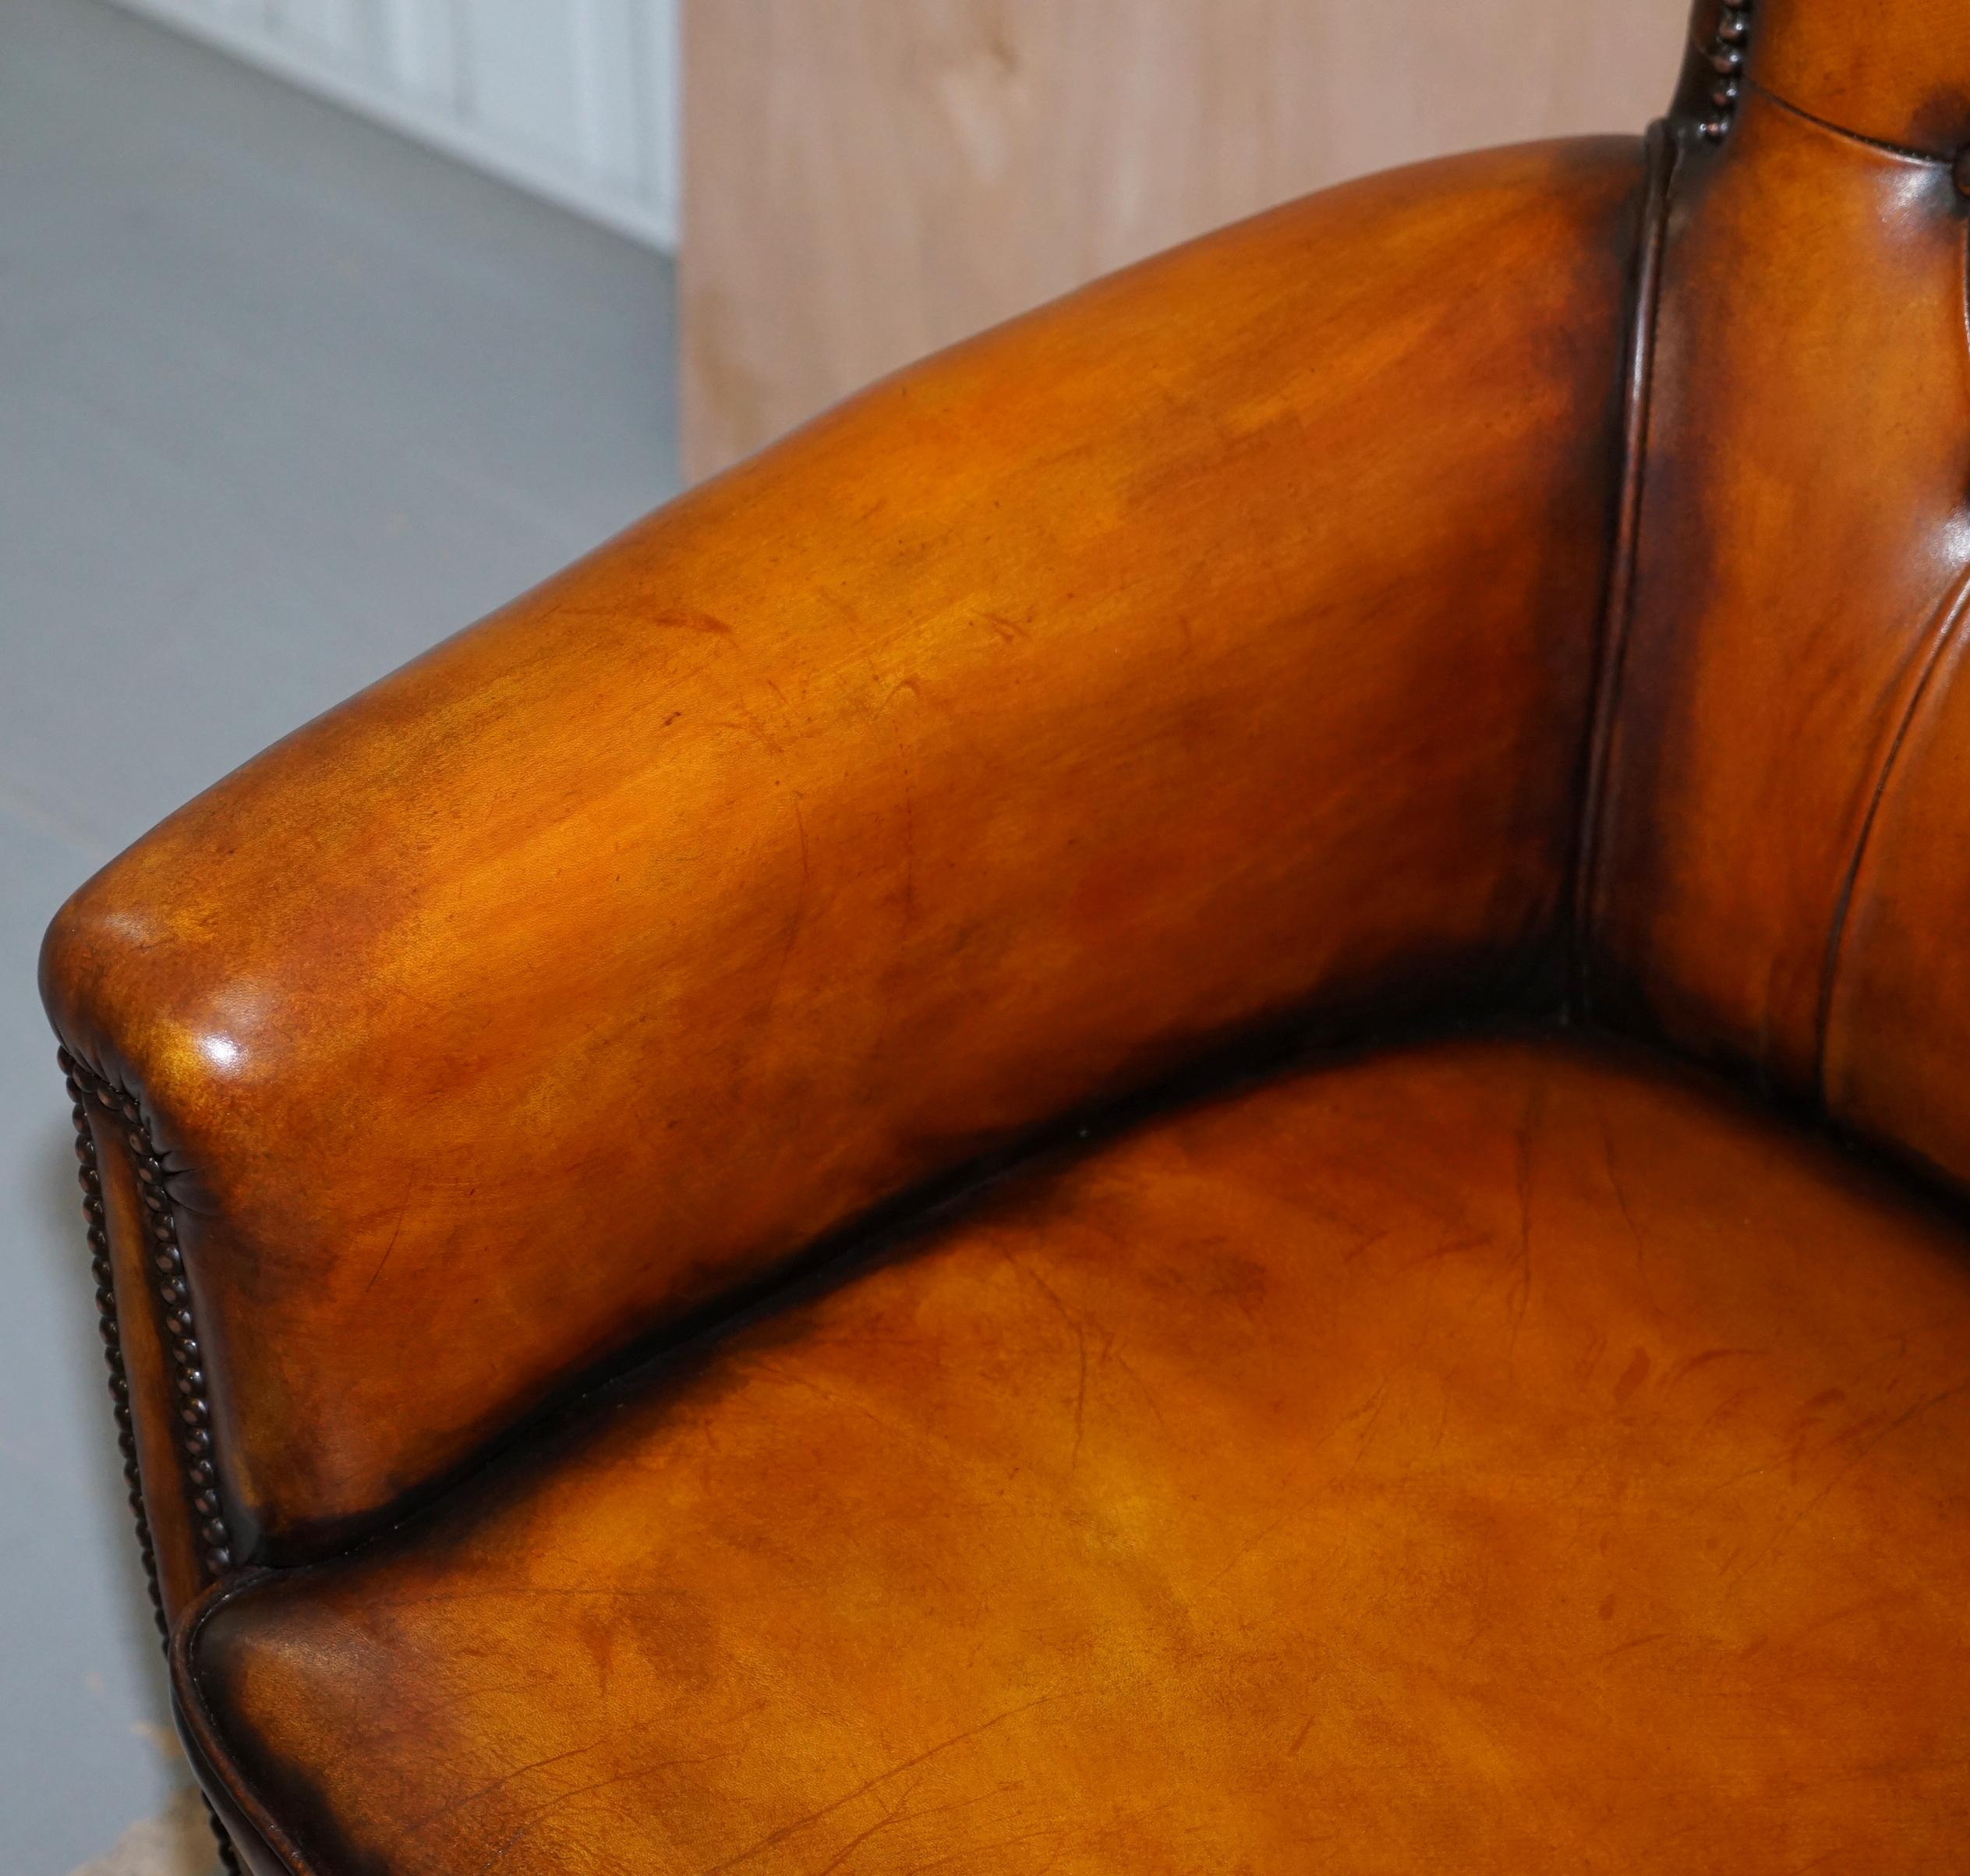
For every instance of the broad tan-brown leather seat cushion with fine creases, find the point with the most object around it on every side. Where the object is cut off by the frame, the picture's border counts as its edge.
(1498, 1455)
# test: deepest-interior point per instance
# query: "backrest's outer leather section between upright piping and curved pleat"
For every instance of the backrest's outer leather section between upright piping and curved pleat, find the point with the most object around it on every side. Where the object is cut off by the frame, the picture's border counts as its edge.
(1677, 941)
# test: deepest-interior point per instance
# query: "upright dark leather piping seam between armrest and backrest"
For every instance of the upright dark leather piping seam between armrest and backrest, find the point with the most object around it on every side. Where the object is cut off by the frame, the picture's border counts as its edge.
(1618, 600)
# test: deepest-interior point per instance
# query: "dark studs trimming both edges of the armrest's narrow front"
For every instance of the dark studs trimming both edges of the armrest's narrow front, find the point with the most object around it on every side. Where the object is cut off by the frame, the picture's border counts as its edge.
(180, 1331)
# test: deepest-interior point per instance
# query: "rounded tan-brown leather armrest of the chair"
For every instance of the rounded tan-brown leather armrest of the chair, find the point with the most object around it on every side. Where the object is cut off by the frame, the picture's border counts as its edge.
(1209, 645)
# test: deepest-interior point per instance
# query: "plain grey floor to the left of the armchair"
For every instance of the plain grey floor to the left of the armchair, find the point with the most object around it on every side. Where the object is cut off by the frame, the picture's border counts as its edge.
(283, 399)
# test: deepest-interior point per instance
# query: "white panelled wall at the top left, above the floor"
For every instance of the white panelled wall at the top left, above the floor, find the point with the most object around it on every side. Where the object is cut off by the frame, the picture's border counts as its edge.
(572, 100)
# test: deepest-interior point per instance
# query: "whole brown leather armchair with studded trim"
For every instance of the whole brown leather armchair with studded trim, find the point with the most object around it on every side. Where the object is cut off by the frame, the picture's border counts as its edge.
(1189, 1101)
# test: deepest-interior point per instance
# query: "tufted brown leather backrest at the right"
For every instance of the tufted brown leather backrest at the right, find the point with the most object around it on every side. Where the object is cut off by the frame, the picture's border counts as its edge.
(1780, 844)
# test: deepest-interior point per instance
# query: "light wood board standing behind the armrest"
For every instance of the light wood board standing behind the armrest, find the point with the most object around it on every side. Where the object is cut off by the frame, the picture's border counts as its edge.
(868, 180)
